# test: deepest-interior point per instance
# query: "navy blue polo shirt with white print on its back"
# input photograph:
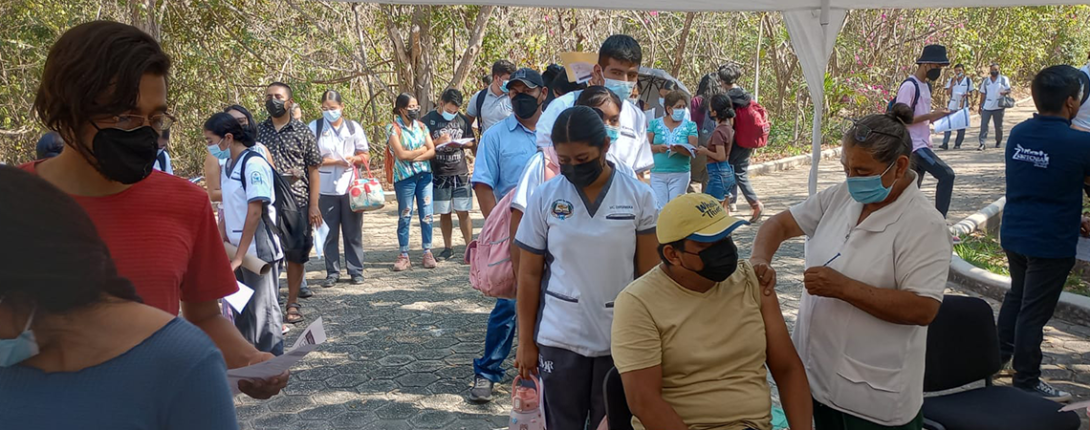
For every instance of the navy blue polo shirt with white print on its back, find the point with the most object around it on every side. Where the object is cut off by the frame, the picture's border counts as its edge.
(1047, 164)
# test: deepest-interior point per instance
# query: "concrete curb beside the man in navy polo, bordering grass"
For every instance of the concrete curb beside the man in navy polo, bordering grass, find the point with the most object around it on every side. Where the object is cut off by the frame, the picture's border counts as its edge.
(1073, 308)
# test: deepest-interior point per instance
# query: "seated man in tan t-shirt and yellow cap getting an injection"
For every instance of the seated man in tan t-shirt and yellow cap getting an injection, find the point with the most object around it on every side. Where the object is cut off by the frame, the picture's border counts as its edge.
(694, 338)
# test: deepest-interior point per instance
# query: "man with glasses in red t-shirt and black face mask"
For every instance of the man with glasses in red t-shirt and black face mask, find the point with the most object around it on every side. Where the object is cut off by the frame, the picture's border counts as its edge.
(111, 109)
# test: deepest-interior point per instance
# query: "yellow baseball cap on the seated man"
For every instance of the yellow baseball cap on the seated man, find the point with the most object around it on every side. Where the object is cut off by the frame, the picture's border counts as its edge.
(695, 217)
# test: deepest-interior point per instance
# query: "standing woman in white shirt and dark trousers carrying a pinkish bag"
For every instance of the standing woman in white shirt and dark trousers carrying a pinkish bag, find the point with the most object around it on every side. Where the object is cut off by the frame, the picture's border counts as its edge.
(344, 148)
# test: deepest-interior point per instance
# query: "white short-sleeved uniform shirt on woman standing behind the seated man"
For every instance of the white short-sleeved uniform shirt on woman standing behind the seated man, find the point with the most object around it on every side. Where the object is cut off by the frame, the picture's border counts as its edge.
(590, 257)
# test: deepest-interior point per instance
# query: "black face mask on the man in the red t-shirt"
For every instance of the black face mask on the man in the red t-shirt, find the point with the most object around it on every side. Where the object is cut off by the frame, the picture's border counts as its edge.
(126, 157)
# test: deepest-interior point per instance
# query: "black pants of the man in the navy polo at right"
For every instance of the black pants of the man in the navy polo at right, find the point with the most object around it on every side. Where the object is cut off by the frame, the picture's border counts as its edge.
(1036, 285)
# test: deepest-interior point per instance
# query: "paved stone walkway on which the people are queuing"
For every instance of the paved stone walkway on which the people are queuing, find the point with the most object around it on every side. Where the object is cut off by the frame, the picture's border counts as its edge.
(402, 347)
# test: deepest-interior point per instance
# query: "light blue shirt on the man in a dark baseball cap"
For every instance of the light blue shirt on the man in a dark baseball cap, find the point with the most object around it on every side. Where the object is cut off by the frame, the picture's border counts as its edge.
(504, 152)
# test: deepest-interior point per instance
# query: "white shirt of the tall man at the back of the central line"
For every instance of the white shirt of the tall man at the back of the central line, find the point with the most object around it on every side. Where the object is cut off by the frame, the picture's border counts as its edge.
(632, 148)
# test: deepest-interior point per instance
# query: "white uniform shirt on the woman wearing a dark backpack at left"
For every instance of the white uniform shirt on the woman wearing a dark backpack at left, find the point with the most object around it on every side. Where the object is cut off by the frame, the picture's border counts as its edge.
(236, 206)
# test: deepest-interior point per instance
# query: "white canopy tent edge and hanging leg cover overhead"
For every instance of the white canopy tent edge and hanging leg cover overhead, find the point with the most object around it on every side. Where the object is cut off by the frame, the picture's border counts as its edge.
(813, 25)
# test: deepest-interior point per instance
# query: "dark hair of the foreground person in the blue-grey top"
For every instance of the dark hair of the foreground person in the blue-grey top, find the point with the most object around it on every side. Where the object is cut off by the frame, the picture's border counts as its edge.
(60, 265)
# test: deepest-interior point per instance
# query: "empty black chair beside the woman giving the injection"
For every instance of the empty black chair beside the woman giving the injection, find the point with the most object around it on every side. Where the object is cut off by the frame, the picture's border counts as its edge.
(964, 348)
